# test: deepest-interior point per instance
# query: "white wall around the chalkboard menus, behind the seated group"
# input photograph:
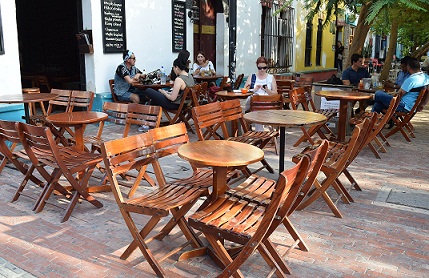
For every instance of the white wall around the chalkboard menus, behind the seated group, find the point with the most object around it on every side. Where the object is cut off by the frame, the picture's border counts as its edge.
(148, 34)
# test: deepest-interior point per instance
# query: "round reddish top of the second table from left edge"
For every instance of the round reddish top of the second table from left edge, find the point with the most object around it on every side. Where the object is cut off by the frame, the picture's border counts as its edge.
(76, 118)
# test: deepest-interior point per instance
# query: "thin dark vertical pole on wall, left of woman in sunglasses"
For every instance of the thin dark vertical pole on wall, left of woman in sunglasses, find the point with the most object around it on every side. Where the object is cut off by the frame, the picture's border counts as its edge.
(232, 38)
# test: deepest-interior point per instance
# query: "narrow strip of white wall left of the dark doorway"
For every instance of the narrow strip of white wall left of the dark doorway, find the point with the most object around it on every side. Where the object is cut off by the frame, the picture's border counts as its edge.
(10, 76)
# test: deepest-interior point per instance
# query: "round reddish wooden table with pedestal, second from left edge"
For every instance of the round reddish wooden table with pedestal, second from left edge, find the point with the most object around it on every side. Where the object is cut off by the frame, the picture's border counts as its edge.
(78, 120)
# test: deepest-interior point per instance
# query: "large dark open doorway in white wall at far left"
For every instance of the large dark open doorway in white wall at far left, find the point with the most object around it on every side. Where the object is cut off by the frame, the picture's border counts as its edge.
(47, 43)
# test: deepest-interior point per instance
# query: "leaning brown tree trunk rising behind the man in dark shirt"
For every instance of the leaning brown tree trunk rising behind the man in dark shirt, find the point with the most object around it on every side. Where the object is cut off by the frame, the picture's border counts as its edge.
(361, 31)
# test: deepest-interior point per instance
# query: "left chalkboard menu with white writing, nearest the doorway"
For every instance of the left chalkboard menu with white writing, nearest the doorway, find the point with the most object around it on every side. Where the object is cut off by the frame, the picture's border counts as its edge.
(113, 18)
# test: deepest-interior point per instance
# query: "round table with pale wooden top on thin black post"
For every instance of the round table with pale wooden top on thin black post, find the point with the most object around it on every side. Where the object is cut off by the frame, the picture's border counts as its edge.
(283, 119)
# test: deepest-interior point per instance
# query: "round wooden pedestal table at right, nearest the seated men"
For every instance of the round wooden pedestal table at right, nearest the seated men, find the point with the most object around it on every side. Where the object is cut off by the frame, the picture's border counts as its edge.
(344, 97)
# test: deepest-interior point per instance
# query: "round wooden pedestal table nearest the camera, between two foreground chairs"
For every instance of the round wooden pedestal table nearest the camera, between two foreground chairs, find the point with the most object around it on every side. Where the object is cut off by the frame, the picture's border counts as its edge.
(220, 155)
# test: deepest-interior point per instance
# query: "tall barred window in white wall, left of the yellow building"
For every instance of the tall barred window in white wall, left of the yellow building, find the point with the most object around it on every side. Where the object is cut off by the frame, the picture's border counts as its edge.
(277, 37)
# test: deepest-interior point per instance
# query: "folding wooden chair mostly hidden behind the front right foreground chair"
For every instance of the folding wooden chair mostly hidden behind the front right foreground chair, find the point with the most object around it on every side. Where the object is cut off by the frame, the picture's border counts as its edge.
(259, 189)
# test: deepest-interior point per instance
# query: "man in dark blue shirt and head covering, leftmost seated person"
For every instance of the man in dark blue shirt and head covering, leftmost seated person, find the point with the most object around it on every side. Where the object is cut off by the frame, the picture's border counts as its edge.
(127, 73)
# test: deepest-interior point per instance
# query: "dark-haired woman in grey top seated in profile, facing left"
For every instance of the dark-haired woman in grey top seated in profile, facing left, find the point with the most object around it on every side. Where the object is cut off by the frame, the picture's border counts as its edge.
(171, 100)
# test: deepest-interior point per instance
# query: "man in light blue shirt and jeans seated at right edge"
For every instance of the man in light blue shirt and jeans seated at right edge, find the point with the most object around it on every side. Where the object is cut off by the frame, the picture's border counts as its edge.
(409, 90)
